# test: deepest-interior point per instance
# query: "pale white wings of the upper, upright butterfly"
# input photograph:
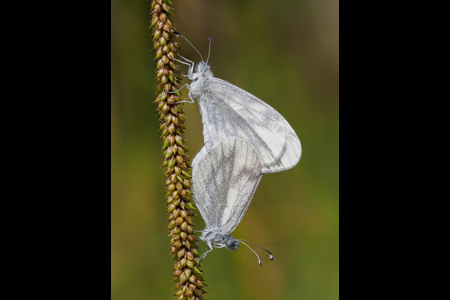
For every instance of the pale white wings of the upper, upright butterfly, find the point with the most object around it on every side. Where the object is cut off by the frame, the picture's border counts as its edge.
(228, 111)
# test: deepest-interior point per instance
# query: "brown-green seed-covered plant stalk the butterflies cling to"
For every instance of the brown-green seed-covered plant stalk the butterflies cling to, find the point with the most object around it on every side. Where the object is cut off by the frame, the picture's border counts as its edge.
(180, 205)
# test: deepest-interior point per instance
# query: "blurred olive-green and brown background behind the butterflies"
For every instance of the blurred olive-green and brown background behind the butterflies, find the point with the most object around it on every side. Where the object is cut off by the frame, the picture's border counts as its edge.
(284, 52)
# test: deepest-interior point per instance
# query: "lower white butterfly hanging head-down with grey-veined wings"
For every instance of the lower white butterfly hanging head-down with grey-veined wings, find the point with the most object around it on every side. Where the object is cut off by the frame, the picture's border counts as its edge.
(224, 181)
